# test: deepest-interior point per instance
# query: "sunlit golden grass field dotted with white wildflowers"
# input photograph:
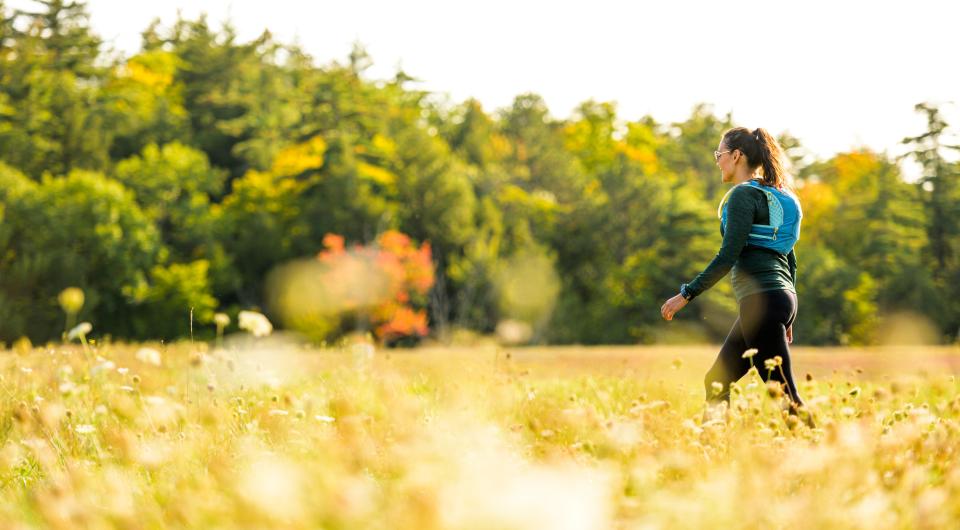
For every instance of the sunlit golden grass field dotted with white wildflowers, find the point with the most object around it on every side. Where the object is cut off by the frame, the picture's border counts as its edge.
(262, 434)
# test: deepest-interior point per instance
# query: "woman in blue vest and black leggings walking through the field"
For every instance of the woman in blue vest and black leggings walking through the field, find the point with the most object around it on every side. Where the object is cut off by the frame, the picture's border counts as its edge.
(760, 223)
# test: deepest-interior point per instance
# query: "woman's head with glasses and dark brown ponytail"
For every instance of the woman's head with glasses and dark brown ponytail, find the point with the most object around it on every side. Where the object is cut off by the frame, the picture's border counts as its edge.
(742, 149)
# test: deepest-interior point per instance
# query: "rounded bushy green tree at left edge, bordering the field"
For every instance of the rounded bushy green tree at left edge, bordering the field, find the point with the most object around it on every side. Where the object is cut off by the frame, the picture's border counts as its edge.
(82, 230)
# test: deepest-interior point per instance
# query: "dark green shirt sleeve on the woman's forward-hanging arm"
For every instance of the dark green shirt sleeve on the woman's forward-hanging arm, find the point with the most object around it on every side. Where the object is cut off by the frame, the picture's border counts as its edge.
(741, 209)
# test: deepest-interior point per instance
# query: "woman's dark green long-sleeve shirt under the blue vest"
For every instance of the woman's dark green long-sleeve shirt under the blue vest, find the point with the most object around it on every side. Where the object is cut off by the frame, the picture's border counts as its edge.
(753, 269)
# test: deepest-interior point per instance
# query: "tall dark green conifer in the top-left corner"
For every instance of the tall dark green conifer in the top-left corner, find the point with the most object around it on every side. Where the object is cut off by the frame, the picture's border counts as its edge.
(53, 119)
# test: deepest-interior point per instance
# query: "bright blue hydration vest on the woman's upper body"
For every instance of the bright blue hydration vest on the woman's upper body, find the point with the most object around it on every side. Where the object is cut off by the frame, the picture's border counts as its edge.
(785, 214)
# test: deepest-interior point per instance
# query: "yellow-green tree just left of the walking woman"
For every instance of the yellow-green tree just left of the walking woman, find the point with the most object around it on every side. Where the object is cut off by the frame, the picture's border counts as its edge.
(637, 233)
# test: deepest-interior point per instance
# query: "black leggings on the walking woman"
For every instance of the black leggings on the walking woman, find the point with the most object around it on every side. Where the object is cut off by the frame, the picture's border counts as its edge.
(763, 322)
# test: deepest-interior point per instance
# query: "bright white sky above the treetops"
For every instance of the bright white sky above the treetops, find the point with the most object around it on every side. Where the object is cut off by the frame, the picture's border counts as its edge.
(837, 74)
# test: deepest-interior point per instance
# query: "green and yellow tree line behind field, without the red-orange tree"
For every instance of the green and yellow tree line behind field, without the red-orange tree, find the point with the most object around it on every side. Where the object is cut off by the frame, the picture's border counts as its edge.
(181, 176)
